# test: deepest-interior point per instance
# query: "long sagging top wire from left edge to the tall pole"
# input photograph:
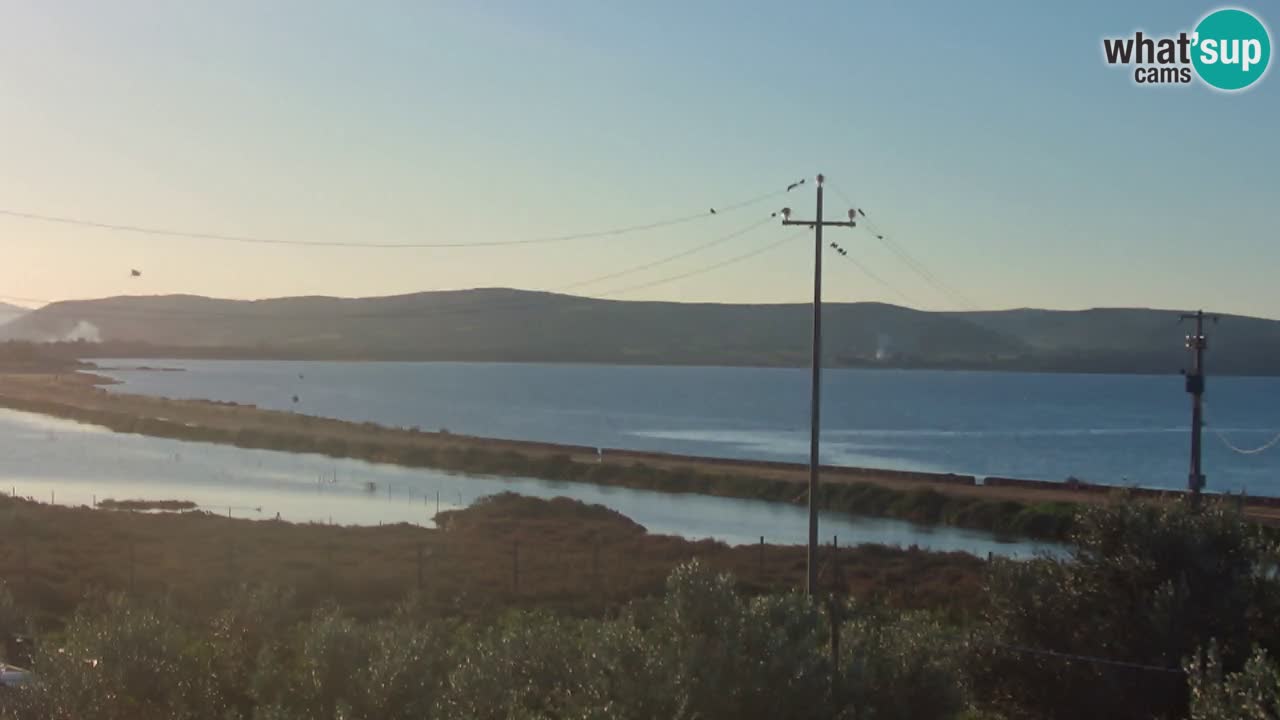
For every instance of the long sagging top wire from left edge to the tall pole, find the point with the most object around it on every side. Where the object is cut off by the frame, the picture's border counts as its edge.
(254, 240)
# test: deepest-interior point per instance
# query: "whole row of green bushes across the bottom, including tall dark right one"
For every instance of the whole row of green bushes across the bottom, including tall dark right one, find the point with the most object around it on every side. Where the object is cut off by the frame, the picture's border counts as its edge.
(1159, 612)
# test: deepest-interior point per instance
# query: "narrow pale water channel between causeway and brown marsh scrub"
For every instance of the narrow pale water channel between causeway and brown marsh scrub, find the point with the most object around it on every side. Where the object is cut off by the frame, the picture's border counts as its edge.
(68, 463)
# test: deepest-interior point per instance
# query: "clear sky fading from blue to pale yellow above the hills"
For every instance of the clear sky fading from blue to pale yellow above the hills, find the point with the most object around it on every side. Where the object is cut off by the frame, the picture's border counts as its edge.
(989, 139)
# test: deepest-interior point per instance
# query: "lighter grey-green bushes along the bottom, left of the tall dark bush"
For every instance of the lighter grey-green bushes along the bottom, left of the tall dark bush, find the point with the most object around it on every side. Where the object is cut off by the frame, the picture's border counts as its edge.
(701, 651)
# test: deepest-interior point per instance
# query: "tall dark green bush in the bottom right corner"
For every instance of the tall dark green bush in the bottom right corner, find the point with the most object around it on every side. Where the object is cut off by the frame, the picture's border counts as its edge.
(1145, 585)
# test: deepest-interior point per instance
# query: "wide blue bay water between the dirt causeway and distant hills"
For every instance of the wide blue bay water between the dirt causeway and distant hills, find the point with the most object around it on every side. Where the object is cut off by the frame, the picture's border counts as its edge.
(1119, 430)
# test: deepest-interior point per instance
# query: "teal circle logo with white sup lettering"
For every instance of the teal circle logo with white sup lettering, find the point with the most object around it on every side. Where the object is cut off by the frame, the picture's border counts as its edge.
(1232, 49)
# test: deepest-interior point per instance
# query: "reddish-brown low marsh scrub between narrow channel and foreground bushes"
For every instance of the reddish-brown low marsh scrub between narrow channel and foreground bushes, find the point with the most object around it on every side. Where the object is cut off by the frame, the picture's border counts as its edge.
(502, 553)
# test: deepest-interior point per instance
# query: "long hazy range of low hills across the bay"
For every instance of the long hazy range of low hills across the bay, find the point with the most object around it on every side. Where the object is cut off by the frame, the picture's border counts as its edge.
(522, 326)
